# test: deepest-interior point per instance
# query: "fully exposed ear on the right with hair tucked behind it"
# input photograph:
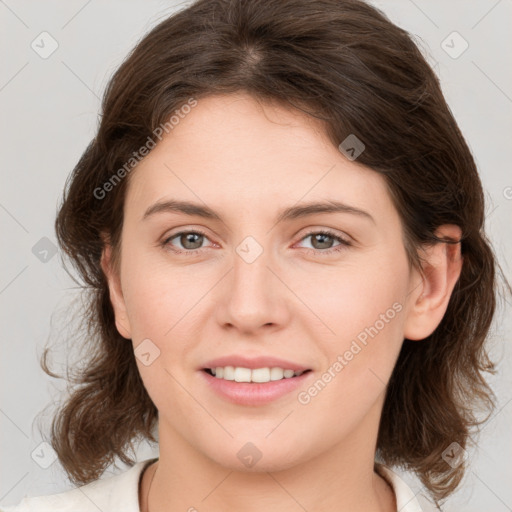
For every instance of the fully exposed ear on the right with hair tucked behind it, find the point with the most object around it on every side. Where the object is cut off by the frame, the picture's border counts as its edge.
(429, 301)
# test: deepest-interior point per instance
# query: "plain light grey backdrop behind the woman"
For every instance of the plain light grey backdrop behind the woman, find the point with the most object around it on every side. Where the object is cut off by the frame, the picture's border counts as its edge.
(49, 111)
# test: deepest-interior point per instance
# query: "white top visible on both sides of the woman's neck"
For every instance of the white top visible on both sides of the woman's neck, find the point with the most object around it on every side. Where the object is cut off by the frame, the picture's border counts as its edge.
(121, 493)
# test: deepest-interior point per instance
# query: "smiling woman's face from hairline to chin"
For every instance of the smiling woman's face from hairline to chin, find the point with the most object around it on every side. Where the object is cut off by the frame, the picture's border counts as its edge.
(262, 281)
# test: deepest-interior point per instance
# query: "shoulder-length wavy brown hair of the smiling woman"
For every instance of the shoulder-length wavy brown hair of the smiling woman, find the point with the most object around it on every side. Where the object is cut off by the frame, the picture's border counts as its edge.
(341, 61)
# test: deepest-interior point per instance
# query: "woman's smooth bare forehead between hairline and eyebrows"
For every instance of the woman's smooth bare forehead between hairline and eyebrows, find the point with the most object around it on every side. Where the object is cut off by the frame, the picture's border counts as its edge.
(235, 150)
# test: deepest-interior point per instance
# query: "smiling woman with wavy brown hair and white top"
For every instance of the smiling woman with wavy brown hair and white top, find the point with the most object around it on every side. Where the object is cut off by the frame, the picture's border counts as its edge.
(281, 227)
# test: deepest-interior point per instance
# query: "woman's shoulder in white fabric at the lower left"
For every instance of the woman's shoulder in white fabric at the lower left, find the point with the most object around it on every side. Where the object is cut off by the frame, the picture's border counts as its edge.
(117, 492)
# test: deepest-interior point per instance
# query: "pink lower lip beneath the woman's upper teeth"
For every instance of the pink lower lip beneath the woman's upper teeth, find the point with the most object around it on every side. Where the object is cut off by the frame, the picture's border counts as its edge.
(254, 393)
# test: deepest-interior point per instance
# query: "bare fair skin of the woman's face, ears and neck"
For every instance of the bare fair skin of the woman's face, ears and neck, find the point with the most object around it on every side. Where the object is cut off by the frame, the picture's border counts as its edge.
(248, 160)
